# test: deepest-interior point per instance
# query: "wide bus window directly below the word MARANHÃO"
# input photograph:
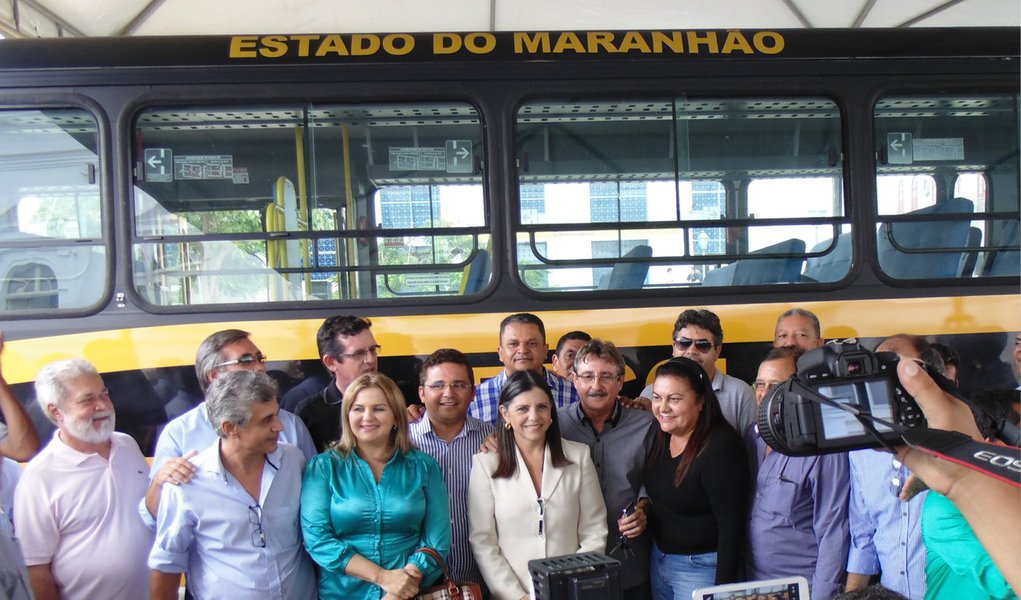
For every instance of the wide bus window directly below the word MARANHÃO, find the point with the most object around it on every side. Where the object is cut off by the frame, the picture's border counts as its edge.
(677, 193)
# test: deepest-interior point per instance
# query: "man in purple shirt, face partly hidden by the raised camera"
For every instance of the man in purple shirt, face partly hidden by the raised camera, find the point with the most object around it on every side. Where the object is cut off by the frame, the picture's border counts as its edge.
(799, 521)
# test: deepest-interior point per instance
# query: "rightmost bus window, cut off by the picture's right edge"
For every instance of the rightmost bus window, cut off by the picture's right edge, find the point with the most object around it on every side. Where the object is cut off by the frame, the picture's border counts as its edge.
(947, 186)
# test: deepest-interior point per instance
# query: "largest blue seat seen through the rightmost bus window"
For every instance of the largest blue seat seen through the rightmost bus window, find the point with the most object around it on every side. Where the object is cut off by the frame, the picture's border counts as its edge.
(927, 235)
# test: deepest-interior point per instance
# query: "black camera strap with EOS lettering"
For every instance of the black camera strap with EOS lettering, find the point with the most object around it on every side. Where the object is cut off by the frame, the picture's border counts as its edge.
(1002, 463)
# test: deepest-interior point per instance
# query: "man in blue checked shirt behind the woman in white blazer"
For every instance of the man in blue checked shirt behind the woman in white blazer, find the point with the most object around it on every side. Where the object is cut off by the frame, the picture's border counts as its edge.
(523, 347)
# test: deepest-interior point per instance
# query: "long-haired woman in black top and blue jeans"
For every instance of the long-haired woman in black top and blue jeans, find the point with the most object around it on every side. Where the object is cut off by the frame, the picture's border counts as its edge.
(698, 479)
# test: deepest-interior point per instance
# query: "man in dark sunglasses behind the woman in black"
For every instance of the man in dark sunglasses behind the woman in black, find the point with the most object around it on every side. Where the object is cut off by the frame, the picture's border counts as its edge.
(699, 336)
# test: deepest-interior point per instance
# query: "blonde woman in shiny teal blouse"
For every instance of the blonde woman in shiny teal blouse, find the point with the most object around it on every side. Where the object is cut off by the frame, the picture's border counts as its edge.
(371, 501)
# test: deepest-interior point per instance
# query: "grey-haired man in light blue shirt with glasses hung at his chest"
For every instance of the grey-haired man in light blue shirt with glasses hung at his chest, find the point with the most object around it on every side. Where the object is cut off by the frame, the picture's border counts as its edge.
(234, 529)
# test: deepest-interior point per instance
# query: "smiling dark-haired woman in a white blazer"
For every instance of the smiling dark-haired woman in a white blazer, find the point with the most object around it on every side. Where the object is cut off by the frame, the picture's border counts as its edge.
(538, 496)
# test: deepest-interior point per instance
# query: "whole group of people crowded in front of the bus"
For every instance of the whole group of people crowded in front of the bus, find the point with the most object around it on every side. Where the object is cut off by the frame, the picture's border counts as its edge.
(355, 493)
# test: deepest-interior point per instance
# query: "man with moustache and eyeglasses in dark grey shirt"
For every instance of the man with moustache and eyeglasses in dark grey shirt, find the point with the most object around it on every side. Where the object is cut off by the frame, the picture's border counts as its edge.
(619, 439)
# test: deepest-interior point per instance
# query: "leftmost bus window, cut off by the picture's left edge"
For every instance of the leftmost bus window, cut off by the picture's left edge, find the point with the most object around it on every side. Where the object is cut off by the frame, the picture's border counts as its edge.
(53, 255)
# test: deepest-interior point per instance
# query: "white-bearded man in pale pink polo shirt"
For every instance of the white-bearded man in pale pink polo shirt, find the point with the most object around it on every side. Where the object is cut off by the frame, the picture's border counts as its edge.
(80, 495)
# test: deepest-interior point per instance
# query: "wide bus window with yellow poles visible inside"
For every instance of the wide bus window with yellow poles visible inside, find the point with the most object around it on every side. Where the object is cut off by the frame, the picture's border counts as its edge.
(311, 203)
